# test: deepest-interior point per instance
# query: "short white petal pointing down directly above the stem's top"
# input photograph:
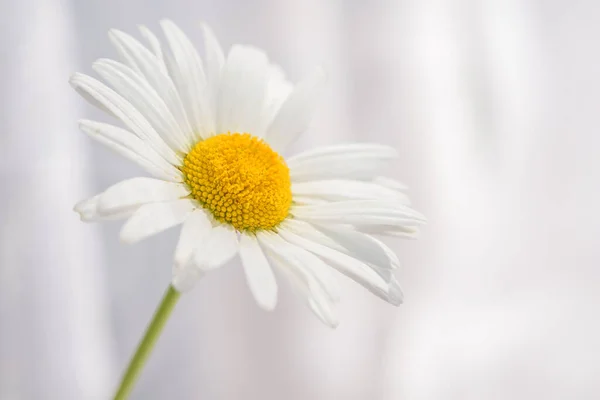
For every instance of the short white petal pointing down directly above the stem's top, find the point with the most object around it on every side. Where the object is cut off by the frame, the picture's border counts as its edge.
(195, 230)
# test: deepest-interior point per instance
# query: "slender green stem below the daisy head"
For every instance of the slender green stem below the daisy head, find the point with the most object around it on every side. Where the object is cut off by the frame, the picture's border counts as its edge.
(161, 315)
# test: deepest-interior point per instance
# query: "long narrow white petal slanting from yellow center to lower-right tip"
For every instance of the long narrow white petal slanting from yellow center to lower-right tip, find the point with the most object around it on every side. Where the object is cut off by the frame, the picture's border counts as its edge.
(349, 266)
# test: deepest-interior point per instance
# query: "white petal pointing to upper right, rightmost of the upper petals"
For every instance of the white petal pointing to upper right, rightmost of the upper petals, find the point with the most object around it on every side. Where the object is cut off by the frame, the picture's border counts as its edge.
(295, 114)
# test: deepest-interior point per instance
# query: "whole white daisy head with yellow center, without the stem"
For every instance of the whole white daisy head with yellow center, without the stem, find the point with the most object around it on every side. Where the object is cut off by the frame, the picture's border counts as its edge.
(212, 133)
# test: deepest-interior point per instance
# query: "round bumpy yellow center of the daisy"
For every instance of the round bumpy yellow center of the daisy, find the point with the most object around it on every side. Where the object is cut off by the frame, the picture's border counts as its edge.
(240, 180)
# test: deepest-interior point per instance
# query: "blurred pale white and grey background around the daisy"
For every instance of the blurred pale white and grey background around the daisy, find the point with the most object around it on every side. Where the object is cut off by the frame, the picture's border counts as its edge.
(493, 106)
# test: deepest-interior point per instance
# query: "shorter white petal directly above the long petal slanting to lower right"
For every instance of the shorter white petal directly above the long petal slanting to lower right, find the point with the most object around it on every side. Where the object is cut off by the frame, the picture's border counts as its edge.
(361, 246)
